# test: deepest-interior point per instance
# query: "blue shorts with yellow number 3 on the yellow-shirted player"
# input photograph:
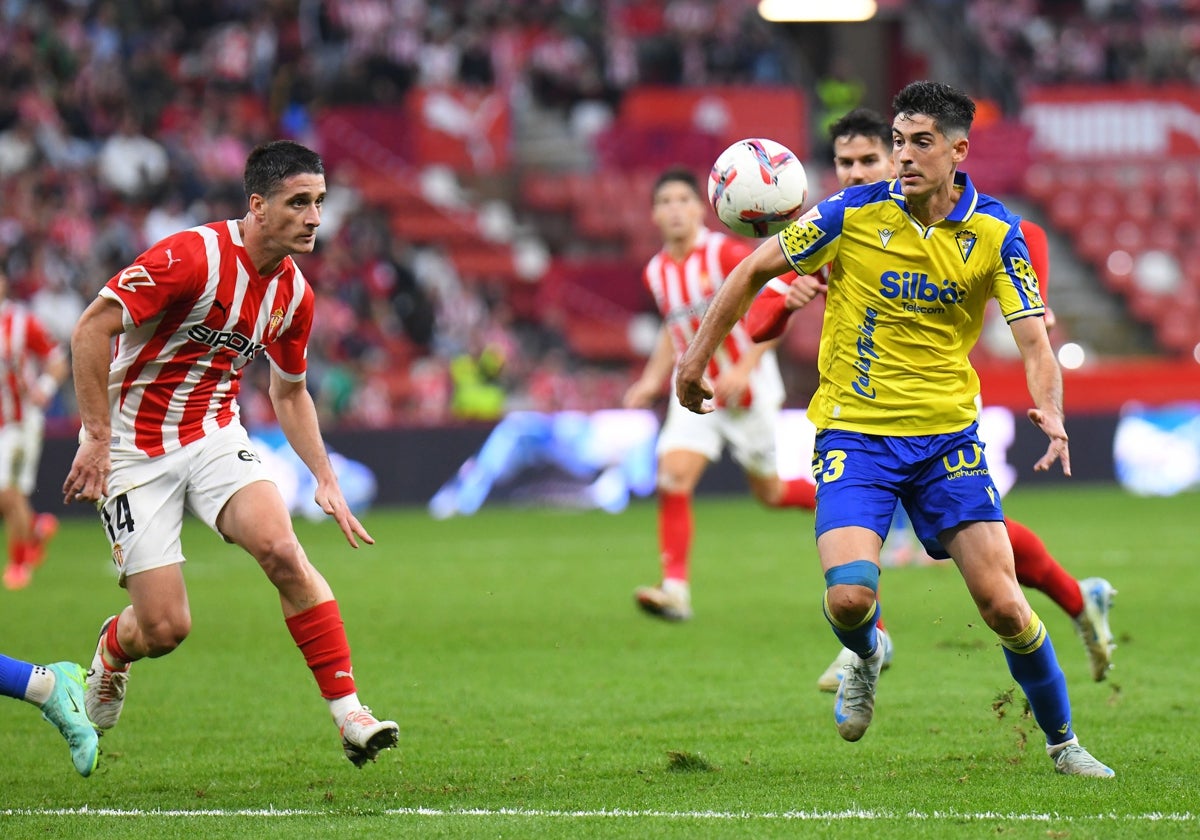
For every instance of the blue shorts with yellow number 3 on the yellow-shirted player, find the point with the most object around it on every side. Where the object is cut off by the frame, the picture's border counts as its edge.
(941, 481)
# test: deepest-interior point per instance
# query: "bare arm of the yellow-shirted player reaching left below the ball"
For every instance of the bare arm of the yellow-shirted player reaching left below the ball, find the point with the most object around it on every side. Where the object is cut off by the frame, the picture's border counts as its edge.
(733, 302)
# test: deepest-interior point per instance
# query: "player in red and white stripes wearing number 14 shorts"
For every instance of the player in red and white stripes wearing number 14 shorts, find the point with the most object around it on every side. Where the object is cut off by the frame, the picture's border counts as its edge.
(161, 431)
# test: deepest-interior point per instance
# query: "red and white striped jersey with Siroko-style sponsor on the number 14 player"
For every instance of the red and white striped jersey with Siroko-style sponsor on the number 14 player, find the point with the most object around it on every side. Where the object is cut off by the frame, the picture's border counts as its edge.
(196, 314)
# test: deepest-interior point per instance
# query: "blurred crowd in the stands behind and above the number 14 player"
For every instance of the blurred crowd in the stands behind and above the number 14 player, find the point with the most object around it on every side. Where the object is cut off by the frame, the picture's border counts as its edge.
(124, 122)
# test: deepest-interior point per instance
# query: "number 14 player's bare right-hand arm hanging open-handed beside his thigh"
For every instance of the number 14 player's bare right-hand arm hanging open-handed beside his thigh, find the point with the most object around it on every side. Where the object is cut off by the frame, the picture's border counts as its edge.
(298, 418)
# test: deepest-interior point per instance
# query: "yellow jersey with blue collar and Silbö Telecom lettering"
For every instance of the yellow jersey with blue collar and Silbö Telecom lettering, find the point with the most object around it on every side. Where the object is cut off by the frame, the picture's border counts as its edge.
(907, 305)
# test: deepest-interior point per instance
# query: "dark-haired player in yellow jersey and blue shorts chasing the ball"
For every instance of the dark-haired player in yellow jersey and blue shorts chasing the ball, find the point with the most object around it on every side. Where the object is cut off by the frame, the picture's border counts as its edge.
(915, 262)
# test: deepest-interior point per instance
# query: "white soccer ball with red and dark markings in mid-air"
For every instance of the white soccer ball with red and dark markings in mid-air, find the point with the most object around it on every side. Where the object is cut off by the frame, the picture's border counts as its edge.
(758, 188)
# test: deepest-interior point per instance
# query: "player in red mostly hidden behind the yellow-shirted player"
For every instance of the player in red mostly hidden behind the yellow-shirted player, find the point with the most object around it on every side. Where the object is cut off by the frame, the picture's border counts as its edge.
(862, 146)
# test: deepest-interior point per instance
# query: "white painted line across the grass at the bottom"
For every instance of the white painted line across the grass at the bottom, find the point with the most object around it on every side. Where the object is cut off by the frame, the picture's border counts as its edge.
(620, 814)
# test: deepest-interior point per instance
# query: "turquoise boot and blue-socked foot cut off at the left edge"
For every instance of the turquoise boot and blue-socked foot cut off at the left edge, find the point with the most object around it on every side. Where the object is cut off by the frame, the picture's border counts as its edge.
(58, 692)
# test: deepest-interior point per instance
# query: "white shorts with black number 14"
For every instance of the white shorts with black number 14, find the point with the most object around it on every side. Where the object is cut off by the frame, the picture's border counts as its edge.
(143, 514)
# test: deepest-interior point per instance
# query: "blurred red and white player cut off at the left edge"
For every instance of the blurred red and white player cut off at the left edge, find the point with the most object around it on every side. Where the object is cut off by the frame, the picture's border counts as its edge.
(33, 368)
